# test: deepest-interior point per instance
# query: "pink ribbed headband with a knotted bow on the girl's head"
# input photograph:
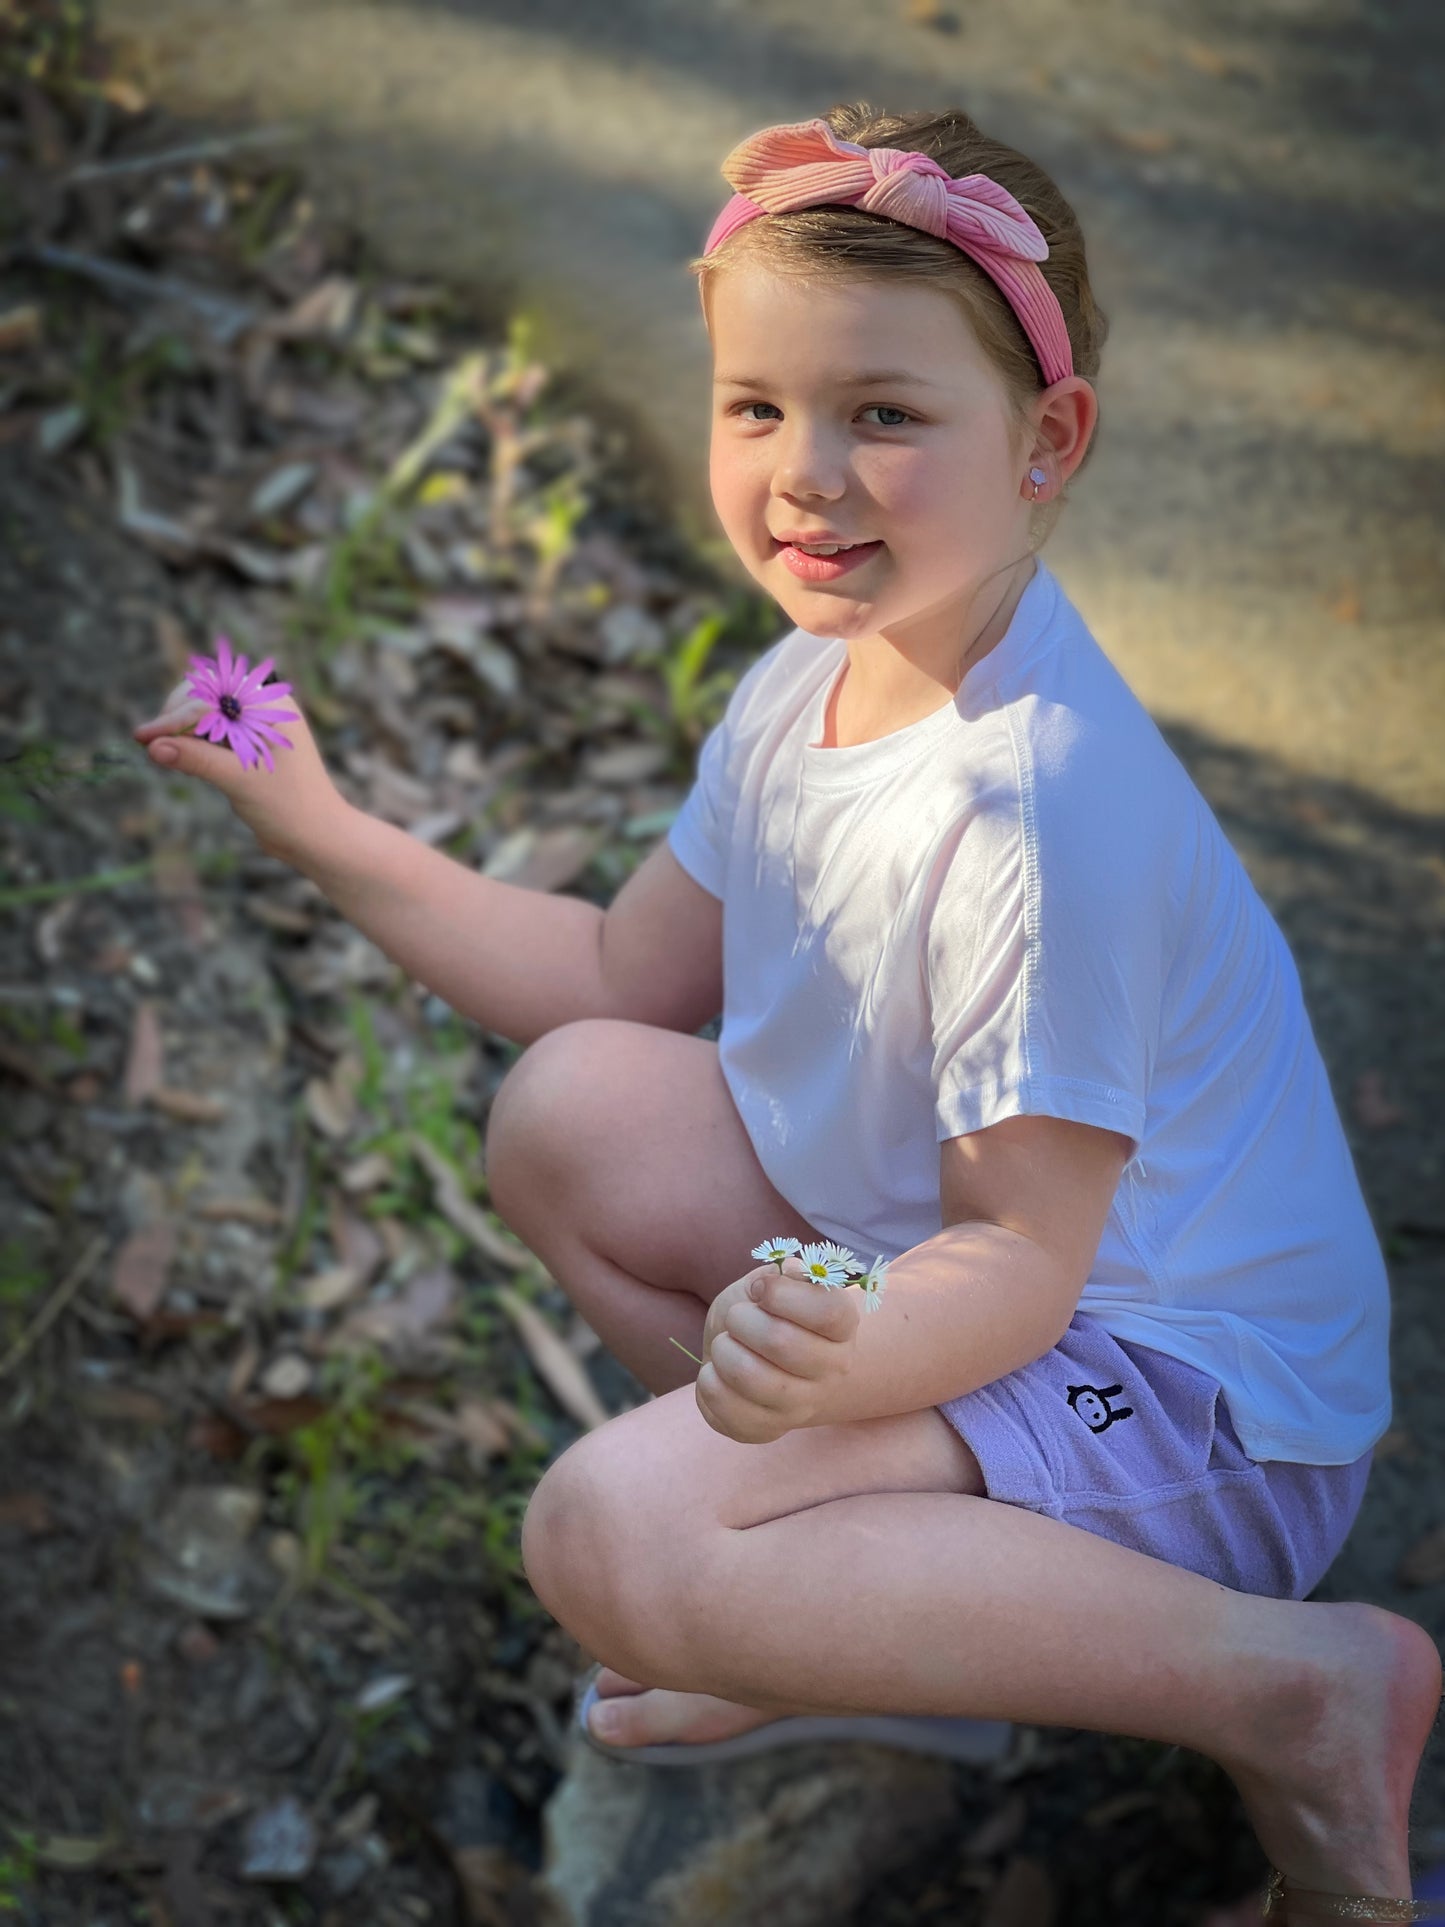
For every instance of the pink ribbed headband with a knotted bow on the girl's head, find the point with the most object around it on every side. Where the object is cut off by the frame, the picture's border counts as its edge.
(804, 165)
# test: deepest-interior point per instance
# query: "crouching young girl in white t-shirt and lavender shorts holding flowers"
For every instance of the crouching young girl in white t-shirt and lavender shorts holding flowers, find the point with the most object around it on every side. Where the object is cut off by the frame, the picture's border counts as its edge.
(1001, 1005)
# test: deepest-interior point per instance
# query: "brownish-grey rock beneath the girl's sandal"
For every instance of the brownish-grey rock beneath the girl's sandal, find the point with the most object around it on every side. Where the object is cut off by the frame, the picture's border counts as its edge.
(791, 1837)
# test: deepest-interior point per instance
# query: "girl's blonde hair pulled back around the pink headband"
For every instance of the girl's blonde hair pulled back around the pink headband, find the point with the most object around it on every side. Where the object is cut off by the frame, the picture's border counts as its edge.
(837, 244)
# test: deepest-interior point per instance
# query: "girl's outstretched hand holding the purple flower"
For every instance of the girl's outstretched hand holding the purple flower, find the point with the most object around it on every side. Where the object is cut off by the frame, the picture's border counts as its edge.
(284, 806)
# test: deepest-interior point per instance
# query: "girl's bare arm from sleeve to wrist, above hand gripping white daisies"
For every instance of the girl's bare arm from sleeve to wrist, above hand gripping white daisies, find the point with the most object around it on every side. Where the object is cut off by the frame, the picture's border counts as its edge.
(1024, 1211)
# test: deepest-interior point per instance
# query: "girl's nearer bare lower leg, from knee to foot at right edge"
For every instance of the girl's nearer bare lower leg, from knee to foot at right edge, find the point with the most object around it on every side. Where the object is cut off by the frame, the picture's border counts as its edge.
(943, 1602)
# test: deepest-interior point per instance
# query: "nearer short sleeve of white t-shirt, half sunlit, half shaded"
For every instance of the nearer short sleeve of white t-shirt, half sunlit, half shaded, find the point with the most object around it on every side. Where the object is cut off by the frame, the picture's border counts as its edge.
(1043, 963)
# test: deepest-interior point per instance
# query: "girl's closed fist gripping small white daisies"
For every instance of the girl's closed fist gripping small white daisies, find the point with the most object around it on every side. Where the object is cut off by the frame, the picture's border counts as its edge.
(768, 1358)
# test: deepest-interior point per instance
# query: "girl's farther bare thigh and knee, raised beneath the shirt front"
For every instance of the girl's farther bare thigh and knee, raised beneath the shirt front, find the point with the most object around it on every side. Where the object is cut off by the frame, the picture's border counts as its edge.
(633, 1134)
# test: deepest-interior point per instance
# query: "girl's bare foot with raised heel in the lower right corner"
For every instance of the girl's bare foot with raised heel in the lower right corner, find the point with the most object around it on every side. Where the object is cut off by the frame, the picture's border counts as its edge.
(1328, 1782)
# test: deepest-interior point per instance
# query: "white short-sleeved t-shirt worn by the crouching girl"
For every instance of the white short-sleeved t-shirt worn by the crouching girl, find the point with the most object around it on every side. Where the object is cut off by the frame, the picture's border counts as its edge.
(1024, 905)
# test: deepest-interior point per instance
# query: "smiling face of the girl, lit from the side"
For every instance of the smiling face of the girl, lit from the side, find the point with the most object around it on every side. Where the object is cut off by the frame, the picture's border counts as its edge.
(920, 460)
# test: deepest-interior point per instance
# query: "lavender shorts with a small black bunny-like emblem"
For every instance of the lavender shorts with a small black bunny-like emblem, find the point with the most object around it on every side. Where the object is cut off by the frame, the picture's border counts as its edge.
(1138, 1446)
